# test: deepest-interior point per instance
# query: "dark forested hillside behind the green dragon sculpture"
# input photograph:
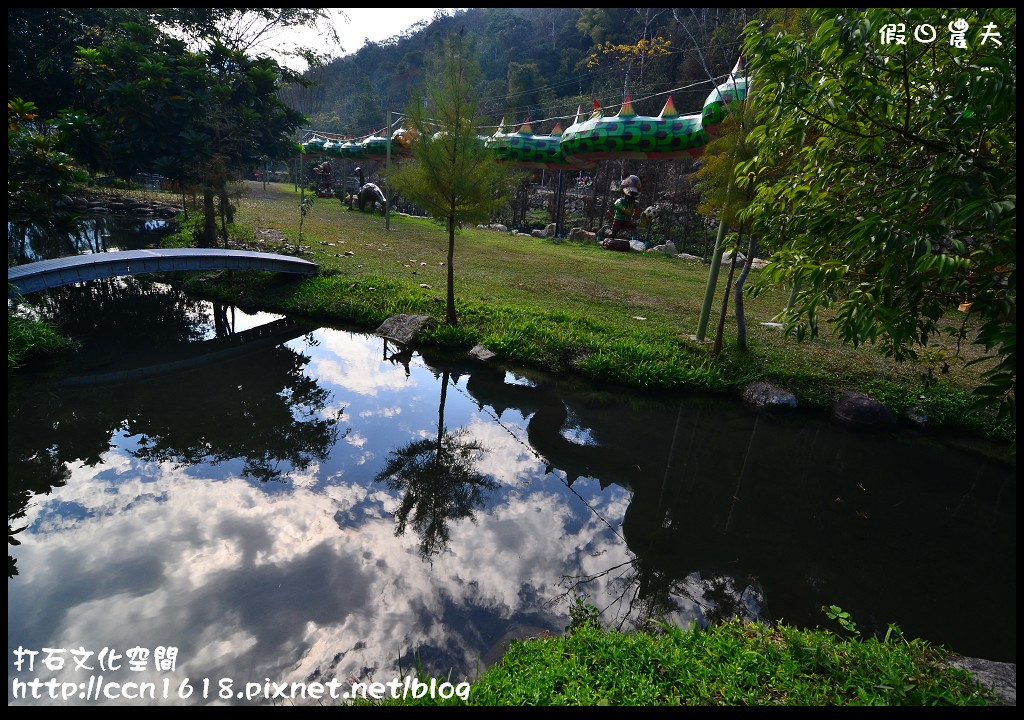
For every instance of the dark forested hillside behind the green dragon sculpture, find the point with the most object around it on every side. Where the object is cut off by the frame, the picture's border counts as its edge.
(538, 64)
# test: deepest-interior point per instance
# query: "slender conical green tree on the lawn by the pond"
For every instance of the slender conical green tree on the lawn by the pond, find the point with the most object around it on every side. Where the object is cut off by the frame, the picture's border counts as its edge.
(452, 178)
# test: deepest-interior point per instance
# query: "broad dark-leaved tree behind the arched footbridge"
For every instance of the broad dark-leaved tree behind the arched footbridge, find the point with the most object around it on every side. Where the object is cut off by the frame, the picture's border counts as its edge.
(210, 112)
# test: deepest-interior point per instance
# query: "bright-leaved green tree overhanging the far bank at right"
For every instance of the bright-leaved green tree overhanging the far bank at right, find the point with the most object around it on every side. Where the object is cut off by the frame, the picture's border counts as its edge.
(899, 204)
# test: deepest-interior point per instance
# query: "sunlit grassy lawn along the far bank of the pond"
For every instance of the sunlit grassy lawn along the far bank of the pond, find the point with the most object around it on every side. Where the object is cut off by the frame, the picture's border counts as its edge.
(622, 318)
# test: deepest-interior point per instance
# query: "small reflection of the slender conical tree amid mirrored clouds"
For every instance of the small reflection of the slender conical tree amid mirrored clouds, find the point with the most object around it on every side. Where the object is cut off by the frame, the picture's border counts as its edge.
(439, 482)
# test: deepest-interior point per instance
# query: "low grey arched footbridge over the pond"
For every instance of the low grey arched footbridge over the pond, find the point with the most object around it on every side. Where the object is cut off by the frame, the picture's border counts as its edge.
(45, 275)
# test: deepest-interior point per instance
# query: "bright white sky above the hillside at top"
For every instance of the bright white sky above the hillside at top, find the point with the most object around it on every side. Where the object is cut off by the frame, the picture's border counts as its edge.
(355, 26)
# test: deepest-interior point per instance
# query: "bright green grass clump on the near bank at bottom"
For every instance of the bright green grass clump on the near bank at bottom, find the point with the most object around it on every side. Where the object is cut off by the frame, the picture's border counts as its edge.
(732, 664)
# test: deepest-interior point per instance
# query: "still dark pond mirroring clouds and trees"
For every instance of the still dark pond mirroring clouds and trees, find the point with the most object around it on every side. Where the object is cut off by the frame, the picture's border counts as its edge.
(285, 502)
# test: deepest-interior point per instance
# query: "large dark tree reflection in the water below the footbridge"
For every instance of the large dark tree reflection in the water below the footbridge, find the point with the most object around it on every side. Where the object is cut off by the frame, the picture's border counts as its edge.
(243, 396)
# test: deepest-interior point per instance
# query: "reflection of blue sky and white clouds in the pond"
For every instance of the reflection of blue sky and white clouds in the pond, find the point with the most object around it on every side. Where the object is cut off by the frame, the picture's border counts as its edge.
(307, 578)
